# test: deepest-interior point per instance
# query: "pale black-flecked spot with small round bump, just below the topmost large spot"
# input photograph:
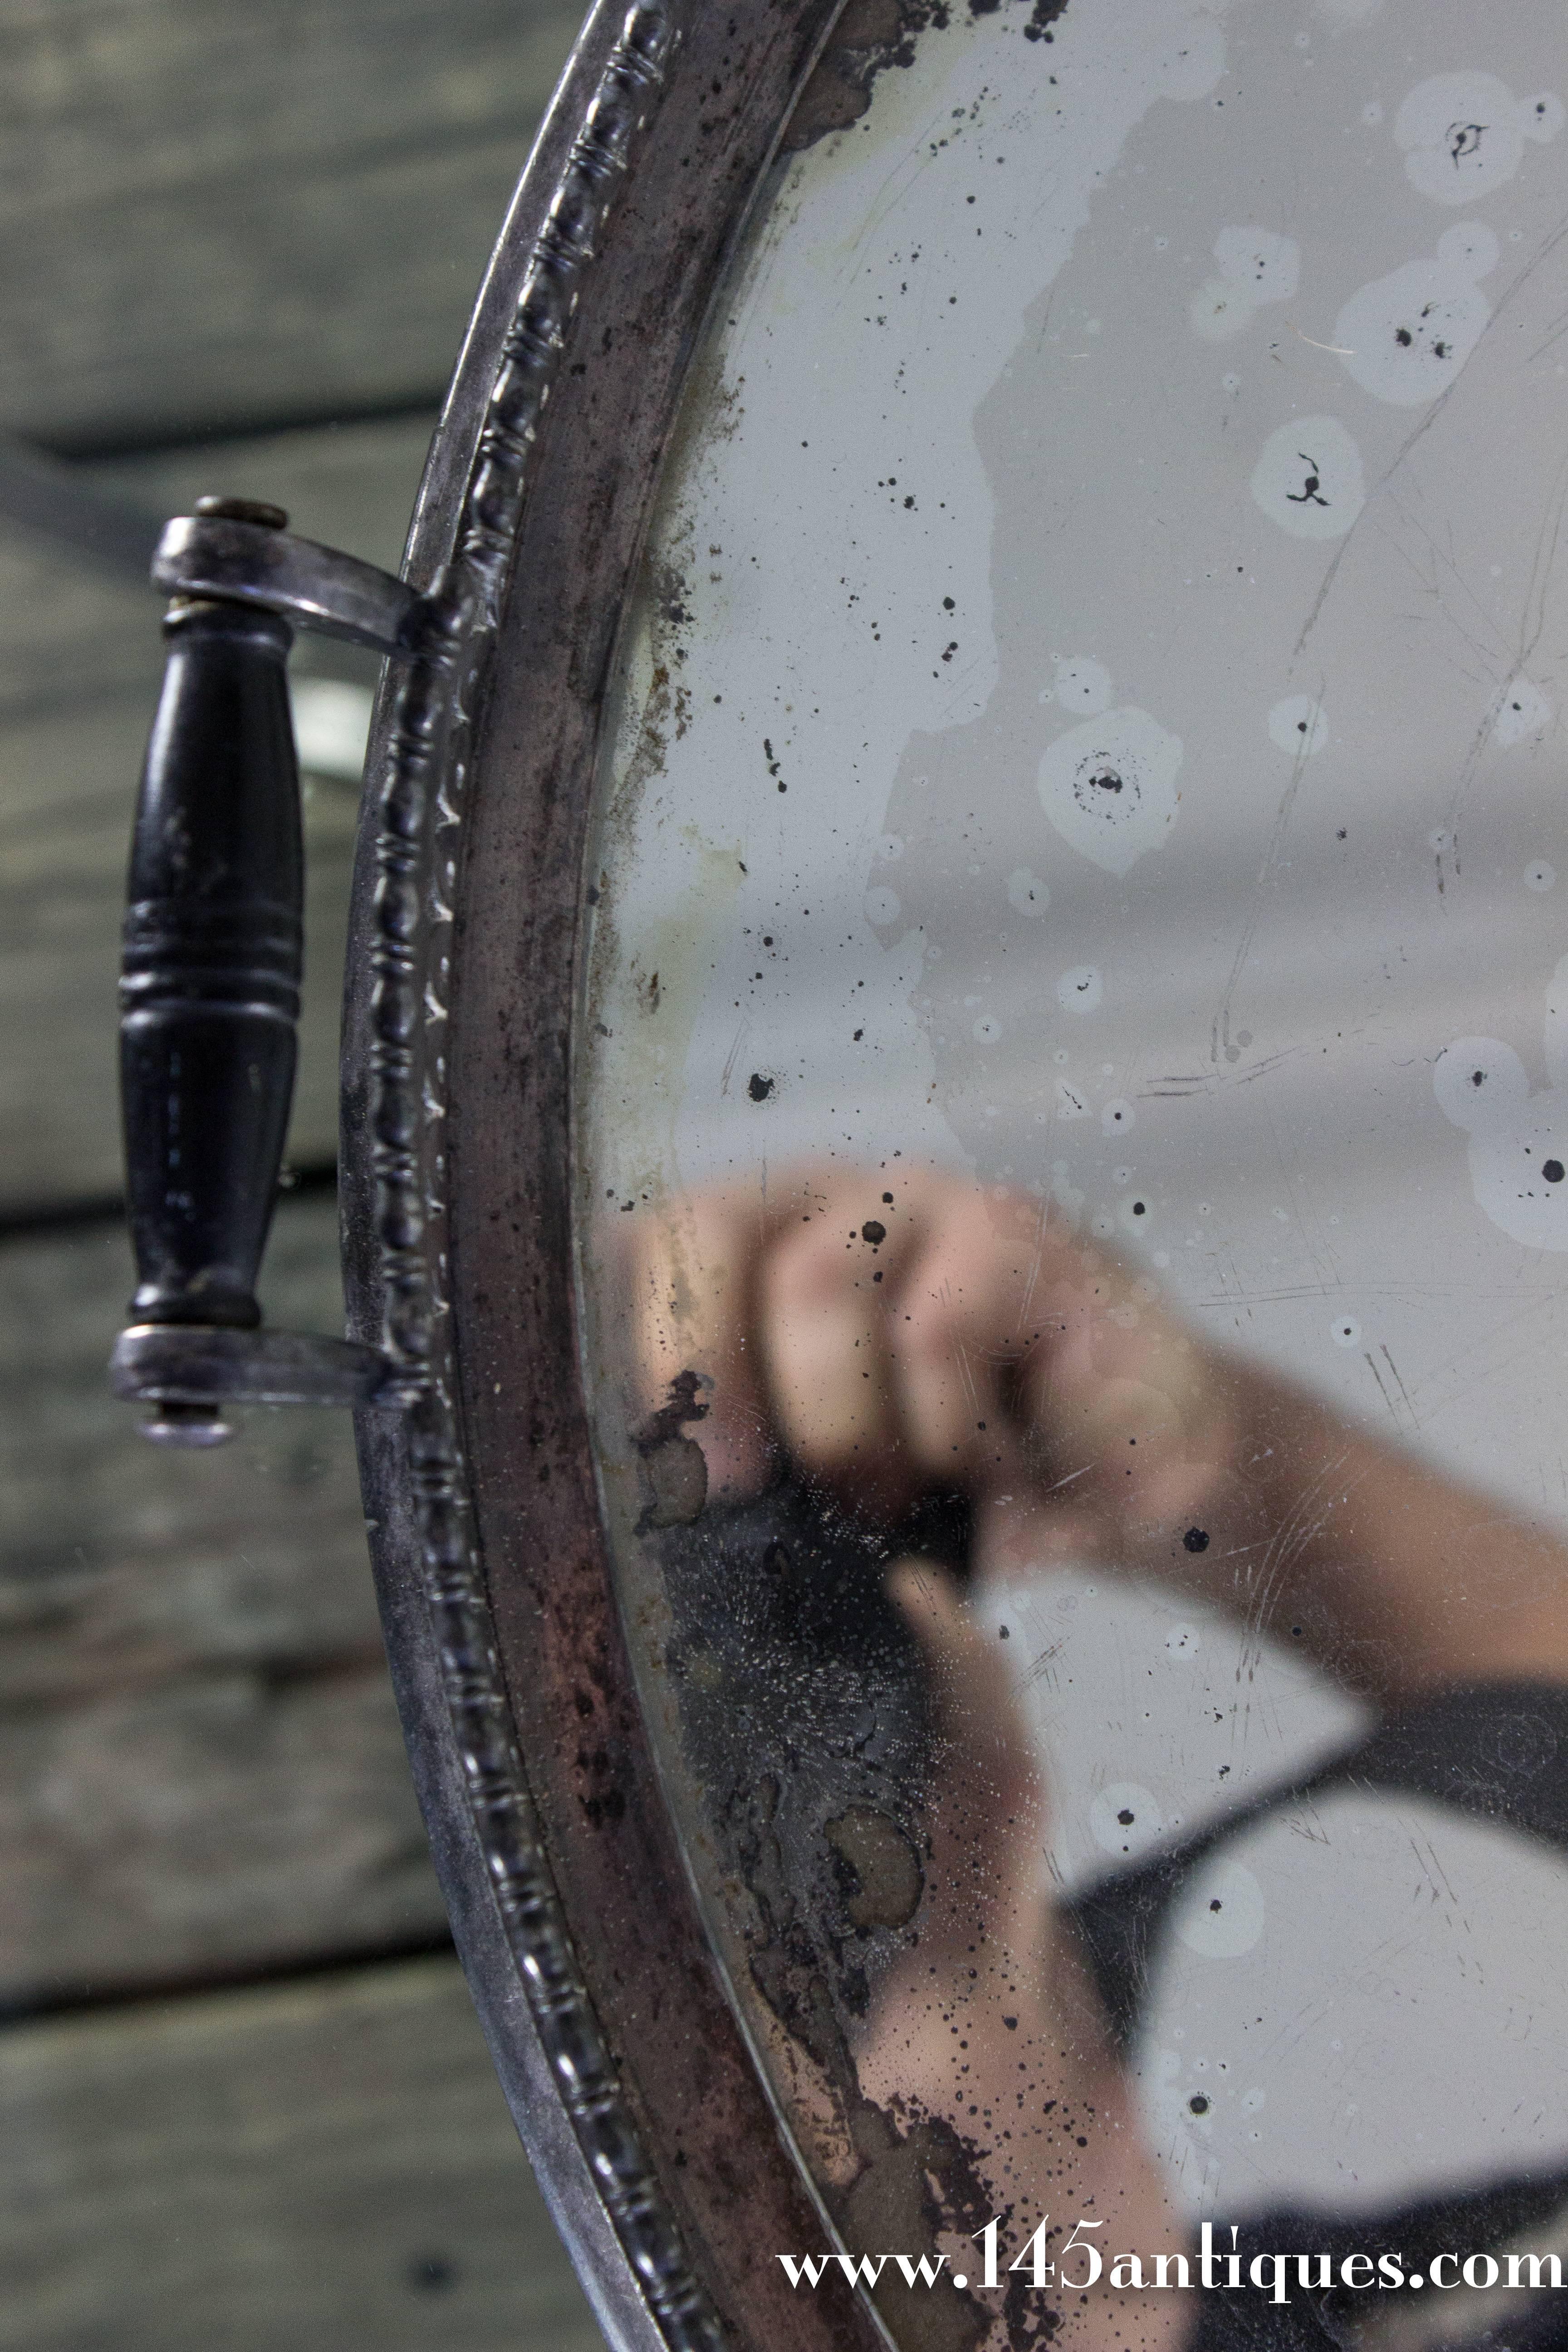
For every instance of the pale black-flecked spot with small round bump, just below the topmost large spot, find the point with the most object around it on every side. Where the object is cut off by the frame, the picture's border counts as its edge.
(1407, 338)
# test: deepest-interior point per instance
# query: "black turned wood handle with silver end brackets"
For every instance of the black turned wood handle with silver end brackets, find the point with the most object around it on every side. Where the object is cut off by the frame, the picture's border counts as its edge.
(213, 968)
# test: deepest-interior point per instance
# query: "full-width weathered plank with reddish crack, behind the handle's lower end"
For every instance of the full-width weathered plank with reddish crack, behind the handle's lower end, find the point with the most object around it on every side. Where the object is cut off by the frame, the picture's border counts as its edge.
(201, 1765)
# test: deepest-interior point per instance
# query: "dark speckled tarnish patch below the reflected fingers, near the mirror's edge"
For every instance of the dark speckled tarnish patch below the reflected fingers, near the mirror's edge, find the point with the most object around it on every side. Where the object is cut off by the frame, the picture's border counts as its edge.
(808, 1728)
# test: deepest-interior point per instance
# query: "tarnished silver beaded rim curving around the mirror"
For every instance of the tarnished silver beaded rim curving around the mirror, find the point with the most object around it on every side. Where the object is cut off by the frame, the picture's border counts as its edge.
(570, 1902)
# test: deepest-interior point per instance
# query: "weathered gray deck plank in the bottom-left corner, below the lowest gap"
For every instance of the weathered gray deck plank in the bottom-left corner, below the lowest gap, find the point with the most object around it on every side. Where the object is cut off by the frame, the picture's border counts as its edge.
(323, 2165)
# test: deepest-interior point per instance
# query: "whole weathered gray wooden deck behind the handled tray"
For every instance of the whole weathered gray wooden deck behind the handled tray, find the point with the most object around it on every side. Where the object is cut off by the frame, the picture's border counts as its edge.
(236, 253)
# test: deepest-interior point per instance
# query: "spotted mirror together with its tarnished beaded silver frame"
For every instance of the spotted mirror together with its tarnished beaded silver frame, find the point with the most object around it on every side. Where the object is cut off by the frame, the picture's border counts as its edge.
(956, 1170)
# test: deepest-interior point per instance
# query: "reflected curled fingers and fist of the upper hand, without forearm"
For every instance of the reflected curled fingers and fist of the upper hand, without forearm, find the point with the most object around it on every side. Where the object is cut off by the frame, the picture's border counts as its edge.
(906, 1332)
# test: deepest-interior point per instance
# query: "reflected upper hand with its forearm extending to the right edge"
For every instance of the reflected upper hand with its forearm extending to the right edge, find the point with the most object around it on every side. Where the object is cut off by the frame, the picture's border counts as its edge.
(899, 1332)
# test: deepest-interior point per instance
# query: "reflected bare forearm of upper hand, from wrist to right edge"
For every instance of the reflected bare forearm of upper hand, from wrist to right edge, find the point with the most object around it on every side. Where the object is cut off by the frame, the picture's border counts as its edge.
(1383, 1570)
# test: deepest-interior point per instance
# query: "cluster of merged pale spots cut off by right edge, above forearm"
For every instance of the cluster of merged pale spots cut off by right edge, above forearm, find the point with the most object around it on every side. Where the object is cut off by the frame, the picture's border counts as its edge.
(1517, 1140)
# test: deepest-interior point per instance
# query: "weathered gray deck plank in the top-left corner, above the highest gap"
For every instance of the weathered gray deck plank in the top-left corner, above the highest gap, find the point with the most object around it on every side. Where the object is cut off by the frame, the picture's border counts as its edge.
(215, 215)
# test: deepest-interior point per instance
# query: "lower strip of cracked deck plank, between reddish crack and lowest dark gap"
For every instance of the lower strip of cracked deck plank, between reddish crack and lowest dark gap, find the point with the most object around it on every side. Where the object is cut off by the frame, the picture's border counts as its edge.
(206, 1829)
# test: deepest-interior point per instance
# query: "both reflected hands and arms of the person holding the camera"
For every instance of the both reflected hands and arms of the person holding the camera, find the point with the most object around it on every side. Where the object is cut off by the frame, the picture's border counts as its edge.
(892, 1335)
